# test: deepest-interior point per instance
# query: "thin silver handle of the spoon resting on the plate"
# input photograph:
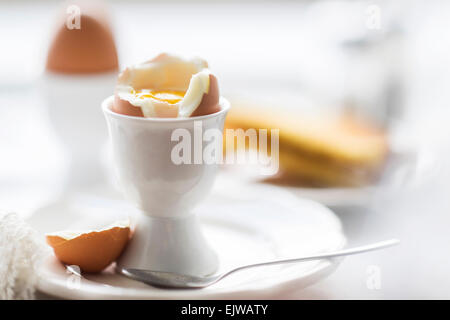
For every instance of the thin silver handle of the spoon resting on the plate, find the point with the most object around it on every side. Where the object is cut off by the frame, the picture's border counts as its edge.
(345, 252)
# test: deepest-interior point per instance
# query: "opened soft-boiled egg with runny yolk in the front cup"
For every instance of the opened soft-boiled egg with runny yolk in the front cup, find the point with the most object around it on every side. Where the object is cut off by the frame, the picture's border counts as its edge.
(167, 87)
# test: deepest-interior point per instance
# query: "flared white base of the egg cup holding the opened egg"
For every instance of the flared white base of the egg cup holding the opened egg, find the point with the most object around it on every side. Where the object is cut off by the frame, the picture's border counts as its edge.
(171, 245)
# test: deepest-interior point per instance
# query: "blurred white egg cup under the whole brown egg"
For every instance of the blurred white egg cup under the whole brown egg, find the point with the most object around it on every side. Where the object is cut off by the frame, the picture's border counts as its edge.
(72, 102)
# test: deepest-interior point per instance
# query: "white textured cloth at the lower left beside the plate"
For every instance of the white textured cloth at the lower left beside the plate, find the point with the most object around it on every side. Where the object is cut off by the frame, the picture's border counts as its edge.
(20, 254)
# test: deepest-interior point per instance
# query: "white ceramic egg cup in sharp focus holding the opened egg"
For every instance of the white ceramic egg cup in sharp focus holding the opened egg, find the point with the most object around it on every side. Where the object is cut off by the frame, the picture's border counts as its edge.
(168, 236)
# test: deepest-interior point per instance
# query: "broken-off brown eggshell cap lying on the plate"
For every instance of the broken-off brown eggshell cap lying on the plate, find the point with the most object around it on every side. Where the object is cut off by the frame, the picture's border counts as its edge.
(91, 251)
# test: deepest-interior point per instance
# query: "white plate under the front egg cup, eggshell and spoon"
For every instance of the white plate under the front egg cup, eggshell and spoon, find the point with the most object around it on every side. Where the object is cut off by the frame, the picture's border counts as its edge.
(245, 224)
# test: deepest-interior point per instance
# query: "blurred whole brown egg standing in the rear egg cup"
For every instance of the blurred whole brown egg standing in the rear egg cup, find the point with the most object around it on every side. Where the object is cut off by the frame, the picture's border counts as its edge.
(89, 49)
